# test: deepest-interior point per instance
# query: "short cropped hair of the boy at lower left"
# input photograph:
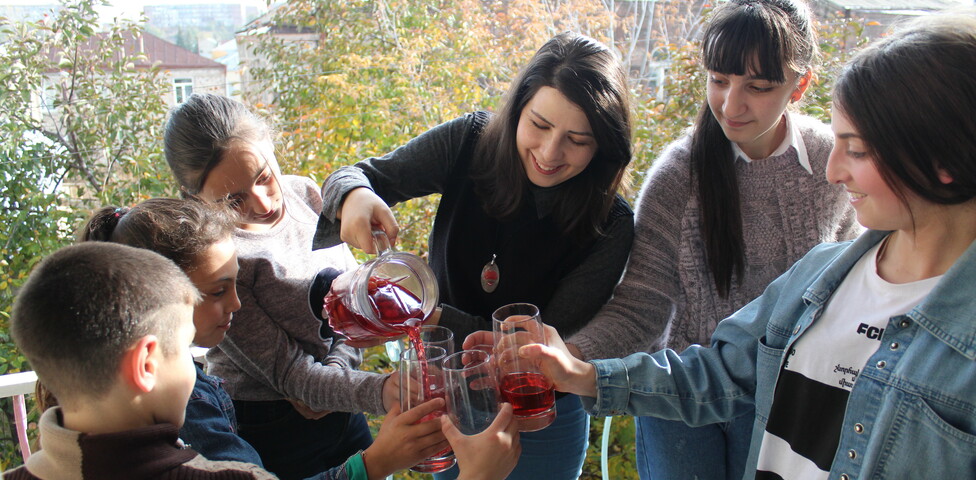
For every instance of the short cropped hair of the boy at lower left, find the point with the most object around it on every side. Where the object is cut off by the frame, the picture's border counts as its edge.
(84, 305)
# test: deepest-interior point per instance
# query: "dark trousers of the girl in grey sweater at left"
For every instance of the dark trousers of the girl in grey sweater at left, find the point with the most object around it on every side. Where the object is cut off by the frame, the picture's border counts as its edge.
(294, 447)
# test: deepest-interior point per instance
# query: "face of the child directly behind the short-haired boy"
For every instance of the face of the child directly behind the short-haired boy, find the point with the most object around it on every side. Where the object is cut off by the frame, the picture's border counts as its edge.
(215, 276)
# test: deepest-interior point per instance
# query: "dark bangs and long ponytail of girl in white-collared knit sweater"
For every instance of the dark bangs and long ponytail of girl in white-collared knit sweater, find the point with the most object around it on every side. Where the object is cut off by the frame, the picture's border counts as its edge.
(766, 36)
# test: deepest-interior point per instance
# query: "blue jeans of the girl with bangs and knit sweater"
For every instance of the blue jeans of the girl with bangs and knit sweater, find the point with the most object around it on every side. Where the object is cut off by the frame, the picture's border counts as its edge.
(668, 449)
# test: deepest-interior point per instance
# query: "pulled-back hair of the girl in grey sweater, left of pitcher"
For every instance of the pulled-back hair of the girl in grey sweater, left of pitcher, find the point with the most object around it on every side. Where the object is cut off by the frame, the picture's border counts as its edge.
(201, 129)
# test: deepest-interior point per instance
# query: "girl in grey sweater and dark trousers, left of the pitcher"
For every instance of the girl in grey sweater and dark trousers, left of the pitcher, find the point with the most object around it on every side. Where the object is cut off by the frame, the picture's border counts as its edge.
(295, 385)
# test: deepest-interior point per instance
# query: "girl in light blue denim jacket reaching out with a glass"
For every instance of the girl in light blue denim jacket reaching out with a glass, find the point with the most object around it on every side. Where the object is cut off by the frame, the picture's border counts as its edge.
(860, 361)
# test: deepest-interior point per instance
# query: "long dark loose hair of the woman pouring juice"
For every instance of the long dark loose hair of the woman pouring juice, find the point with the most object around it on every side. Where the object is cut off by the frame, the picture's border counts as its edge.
(590, 76)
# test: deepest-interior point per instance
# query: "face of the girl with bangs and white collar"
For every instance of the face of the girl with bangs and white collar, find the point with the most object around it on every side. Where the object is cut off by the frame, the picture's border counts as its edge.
(750, 109)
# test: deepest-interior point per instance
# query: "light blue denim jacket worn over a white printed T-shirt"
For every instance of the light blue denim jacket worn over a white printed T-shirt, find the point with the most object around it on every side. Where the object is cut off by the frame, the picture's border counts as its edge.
(910, 414)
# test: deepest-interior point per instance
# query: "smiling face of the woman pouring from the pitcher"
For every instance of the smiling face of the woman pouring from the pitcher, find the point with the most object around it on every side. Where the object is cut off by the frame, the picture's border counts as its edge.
(554, 139)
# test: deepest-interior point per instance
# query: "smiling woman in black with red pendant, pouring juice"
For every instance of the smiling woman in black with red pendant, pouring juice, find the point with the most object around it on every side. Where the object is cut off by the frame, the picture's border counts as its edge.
(530, 210)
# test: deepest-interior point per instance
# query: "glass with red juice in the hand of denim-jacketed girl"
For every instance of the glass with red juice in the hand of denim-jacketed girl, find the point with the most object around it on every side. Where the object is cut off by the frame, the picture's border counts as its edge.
(520, 381)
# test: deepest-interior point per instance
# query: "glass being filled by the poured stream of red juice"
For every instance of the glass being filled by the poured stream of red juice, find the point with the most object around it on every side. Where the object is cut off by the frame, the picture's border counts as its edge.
(422, 379)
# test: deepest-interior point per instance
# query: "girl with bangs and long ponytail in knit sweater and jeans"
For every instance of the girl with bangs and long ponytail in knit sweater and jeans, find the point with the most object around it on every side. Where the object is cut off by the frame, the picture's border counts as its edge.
(724, 211)
